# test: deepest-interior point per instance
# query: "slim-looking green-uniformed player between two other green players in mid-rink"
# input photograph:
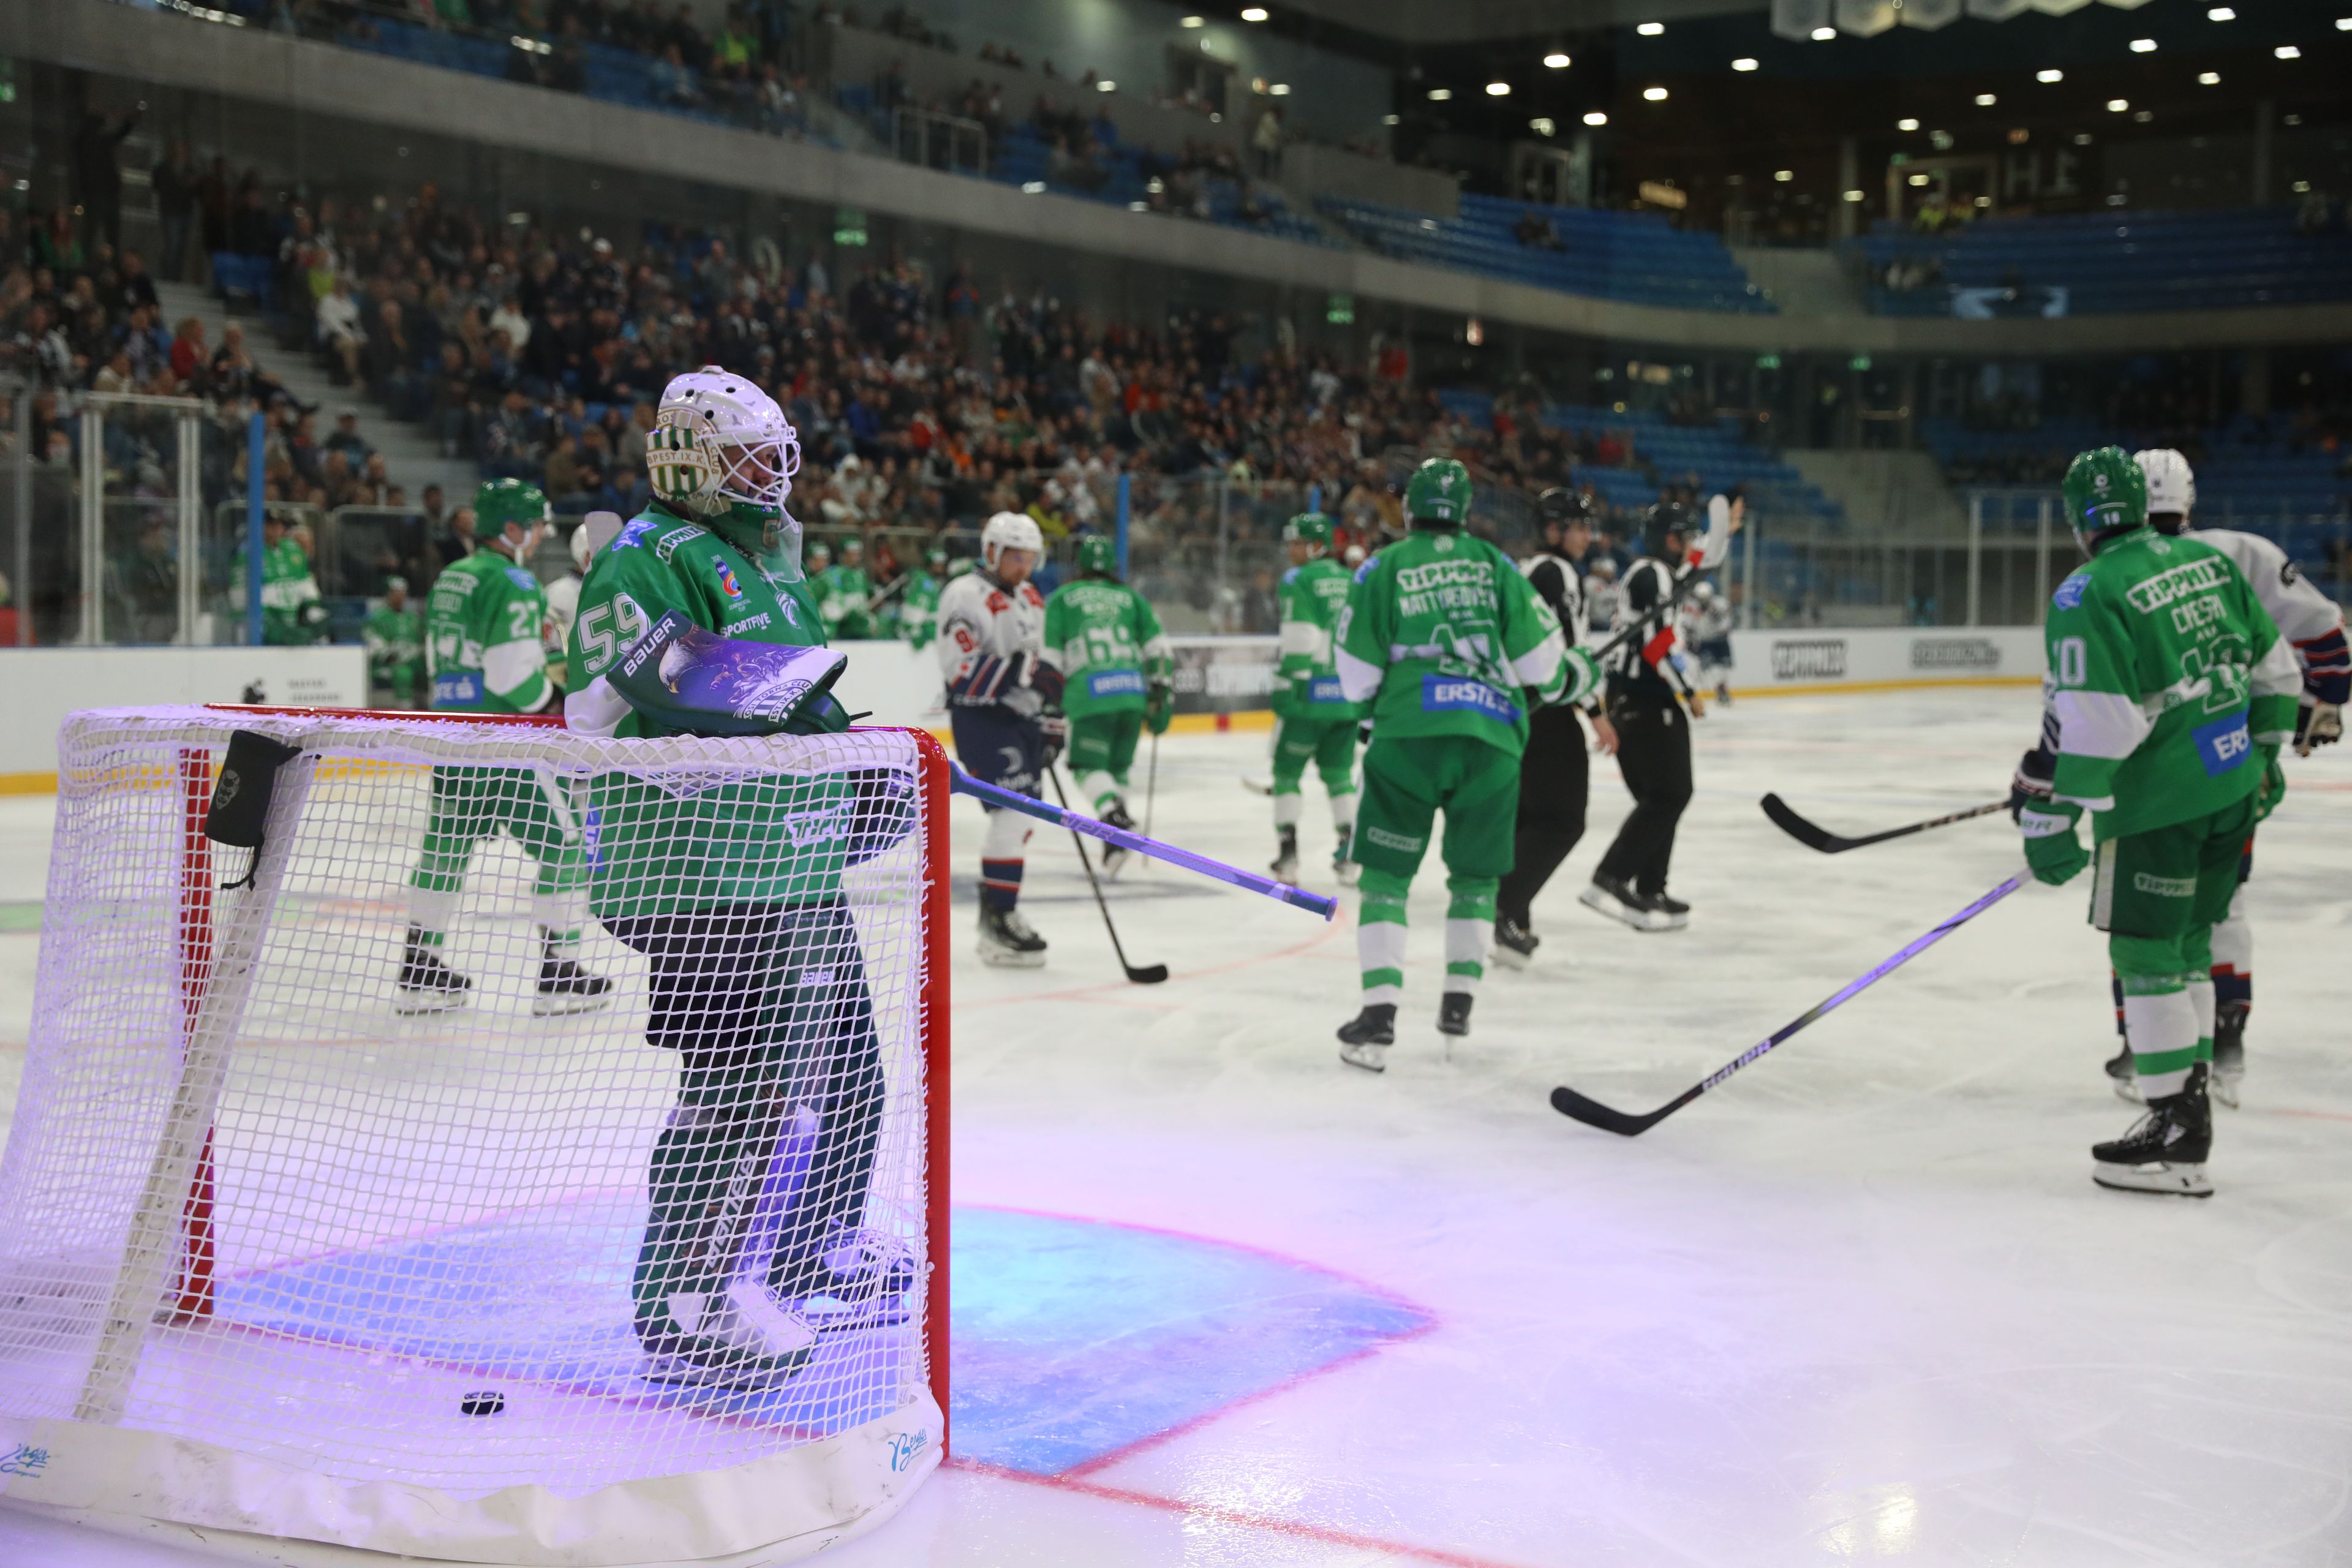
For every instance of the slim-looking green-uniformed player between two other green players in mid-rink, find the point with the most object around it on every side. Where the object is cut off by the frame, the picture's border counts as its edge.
(1314, 718)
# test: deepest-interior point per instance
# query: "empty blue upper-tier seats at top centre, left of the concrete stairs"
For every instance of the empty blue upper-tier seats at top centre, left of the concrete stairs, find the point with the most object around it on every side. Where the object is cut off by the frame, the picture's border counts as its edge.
(1633, 257)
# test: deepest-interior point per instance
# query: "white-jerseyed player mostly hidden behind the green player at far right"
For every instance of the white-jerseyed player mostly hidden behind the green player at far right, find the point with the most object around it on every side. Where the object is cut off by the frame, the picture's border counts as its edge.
(2316, 626)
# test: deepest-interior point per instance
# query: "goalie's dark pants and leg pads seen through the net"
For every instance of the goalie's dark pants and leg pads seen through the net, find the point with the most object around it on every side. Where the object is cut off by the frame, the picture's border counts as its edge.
(768, 1155)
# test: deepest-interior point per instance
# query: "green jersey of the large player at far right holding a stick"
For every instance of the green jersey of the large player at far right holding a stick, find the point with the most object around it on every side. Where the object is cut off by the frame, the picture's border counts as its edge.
(2167, 678)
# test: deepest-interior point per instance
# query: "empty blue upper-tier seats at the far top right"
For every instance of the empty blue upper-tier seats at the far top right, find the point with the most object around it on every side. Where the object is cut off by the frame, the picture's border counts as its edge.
(2109, 262)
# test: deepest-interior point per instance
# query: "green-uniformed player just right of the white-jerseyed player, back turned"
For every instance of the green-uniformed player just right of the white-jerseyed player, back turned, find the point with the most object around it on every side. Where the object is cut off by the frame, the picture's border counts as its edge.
(1121, 678)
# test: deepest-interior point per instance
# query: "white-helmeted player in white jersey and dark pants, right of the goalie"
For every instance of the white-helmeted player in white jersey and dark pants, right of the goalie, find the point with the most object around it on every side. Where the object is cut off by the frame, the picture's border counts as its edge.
(1005, 709)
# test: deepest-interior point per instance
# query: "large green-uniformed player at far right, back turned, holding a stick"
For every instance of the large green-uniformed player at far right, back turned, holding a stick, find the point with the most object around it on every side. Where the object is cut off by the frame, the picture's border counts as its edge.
(2172, 692)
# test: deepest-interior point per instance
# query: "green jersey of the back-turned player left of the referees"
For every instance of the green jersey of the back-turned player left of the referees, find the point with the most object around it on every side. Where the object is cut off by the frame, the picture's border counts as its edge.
(1445, 638)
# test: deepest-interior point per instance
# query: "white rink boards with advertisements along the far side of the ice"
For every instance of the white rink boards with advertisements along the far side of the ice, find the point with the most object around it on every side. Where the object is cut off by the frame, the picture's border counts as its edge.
(1222, 683)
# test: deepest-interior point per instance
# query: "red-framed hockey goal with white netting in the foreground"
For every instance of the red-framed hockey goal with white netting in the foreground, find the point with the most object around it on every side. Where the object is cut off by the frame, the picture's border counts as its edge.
(533, 1151)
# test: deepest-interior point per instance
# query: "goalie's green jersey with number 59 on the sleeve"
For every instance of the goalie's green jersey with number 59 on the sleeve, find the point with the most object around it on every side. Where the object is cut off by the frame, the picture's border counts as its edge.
(775, 838)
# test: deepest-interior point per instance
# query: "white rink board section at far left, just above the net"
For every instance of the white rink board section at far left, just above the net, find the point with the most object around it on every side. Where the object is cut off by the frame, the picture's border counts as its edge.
(39, 688)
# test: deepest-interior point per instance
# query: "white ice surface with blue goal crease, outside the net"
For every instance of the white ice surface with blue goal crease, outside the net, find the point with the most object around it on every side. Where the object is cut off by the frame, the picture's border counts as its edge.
(1859, 1304)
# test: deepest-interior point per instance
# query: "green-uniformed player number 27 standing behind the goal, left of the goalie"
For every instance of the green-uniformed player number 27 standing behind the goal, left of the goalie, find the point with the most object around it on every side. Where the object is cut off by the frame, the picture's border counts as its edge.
(486, 655)
